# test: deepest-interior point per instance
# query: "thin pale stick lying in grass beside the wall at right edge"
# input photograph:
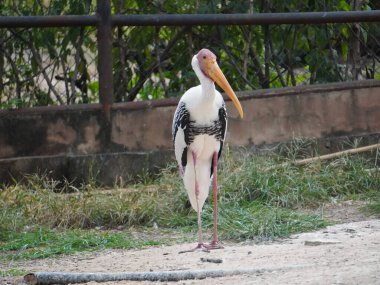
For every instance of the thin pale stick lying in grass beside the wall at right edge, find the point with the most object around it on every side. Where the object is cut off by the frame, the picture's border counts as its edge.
(327, 156)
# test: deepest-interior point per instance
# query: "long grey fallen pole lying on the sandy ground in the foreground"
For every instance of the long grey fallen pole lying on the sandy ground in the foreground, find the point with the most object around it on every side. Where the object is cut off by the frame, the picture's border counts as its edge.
(46, 278)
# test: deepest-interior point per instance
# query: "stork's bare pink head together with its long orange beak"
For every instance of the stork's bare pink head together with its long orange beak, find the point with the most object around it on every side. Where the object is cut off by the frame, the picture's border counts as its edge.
(210, 68)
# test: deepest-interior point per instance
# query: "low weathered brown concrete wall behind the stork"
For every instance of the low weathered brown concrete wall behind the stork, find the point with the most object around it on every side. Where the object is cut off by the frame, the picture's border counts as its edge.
(78, 142)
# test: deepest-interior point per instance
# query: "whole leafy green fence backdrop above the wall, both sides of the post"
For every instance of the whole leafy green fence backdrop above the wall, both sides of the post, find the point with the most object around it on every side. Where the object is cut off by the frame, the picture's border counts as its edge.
(58, 66)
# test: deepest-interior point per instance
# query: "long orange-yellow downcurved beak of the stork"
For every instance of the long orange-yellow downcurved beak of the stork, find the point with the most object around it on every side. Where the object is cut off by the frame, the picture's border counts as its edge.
(217, 75)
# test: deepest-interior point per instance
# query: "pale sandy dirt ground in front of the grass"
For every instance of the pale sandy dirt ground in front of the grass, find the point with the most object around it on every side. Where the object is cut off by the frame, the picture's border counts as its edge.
(347, 253)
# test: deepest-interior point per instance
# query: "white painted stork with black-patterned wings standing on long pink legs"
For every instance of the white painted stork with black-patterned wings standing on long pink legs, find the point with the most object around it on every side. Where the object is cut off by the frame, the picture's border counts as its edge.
(199, 129)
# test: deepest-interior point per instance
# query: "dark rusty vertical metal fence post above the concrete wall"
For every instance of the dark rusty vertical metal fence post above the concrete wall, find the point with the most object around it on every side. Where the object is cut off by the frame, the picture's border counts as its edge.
(104, 38)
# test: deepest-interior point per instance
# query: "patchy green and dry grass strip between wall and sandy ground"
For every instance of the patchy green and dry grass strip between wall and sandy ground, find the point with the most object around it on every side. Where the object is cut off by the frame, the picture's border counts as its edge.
(259, 199)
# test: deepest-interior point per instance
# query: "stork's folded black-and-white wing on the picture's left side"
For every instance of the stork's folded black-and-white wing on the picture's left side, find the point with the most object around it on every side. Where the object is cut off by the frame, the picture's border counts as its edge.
(180, 132)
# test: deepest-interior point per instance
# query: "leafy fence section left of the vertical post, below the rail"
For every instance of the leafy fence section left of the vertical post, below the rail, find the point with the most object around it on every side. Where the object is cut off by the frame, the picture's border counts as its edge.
(48, 66)
